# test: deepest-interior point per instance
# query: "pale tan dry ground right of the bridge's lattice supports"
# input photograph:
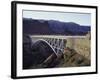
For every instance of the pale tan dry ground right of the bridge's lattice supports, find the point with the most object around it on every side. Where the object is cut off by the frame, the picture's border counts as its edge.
(81, 45)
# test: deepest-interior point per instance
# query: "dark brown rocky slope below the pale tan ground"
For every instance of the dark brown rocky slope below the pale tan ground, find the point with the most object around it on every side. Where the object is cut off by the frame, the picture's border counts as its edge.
(72, 59)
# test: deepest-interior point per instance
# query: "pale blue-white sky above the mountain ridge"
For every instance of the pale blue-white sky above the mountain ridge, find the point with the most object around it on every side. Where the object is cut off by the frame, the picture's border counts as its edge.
(79, 18)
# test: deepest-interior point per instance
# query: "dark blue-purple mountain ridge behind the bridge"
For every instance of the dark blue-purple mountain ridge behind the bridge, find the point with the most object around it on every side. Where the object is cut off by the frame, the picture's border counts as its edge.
(53, 27)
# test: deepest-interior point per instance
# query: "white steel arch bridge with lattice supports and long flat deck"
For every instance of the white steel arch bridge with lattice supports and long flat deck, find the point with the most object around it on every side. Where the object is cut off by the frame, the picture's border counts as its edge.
(57, 43)
